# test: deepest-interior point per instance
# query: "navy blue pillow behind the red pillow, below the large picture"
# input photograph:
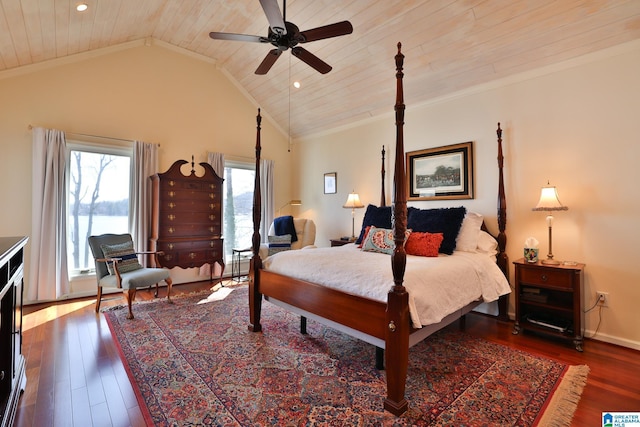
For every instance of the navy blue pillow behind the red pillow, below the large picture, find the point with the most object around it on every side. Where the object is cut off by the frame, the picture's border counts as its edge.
(445, 220)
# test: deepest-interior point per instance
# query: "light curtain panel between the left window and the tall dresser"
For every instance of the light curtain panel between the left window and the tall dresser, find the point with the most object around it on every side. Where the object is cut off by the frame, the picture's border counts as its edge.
(145, 164)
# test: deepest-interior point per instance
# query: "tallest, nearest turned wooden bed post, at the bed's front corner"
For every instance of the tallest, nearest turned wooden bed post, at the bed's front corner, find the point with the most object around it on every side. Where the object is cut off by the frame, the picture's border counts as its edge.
(397, 332)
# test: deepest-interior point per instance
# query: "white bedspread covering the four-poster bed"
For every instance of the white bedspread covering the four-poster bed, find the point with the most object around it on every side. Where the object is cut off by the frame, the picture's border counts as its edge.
(437, 287)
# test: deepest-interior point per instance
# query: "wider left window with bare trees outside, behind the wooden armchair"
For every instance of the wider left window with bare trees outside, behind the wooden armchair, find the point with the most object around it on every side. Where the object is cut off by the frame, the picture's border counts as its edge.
(98, 181)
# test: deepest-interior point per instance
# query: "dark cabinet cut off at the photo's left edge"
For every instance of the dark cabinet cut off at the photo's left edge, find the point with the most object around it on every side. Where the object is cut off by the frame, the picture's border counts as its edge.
(12, 363)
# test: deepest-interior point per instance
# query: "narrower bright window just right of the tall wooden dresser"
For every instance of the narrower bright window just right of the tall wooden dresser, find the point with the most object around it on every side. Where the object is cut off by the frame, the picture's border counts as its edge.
(237, 206)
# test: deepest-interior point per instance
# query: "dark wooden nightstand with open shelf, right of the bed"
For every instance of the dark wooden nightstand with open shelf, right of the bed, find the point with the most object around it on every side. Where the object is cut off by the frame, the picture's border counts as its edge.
(549, 299)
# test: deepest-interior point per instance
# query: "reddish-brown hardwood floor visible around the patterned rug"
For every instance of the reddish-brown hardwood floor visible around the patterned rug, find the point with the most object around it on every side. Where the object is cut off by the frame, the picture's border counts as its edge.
(75, 376)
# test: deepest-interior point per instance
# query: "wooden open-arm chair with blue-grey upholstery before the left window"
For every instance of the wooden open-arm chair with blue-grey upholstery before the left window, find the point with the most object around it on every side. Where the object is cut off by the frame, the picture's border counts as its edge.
(117, 266)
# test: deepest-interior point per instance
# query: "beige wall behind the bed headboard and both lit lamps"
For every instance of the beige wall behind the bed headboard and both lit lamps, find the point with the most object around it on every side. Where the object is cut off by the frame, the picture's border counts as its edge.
(575, 124)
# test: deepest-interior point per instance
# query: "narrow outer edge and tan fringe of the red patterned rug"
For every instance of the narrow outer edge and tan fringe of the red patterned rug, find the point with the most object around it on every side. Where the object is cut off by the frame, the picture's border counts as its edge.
(557, 410)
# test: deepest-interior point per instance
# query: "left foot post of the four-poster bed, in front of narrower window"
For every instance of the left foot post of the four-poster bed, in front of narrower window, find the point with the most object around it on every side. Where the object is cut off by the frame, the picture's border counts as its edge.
(255, 264)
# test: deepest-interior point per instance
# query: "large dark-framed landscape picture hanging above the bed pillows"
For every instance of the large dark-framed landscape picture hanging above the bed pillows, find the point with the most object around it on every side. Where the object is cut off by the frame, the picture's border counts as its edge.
(440, 173)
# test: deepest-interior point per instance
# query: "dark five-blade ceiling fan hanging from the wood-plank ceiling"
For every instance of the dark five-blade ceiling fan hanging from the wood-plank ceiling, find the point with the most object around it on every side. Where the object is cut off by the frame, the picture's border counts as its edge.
(285, 35)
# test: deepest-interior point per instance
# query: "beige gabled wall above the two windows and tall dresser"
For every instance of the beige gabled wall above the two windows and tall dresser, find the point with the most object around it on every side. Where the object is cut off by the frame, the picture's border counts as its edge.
(150, 93)
